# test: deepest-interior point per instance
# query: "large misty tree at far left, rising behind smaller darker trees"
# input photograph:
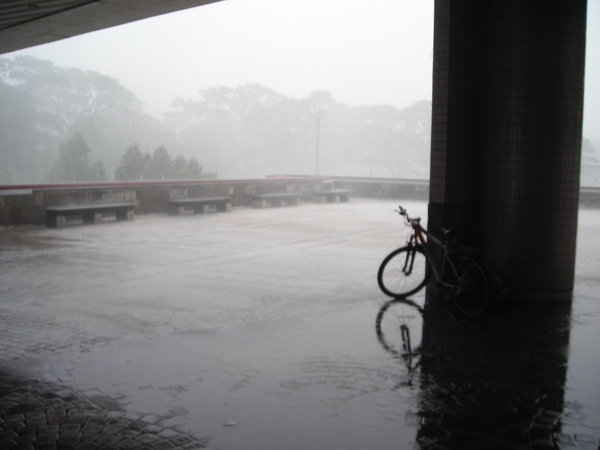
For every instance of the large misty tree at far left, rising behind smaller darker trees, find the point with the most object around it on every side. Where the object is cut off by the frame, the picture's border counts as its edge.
(43, 104)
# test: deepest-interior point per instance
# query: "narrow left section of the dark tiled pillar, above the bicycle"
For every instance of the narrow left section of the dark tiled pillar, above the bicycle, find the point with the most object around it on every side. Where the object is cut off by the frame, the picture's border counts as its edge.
(454, 141)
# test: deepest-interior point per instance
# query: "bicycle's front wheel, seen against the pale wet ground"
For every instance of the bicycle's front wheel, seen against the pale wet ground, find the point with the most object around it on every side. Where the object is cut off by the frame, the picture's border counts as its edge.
(403, 272)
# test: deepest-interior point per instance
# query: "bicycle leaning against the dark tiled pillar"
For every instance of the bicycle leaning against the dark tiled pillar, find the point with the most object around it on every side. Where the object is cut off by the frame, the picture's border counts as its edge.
(460, 277)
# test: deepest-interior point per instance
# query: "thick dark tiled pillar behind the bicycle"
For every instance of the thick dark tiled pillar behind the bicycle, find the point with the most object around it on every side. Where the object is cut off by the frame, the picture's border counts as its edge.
(506, 134)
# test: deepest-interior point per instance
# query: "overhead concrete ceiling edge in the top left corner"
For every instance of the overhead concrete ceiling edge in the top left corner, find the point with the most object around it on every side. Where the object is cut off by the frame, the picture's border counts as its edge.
(25, 23)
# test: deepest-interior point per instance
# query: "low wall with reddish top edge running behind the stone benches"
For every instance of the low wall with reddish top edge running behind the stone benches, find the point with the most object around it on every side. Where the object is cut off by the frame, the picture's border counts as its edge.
(24, 205)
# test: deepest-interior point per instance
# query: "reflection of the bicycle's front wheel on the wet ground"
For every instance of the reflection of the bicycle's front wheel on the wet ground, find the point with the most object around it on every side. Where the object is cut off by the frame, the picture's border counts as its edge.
(399, 327)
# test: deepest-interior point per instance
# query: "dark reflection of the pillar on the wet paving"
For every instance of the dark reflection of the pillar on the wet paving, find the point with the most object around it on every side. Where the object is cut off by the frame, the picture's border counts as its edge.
(496, 380)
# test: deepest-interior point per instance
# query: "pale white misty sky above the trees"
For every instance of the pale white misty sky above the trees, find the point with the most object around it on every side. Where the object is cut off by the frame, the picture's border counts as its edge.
(362, 51)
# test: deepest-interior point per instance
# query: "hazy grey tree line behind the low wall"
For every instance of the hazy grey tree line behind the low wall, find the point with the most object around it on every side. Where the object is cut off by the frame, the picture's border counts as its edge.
(242, 132)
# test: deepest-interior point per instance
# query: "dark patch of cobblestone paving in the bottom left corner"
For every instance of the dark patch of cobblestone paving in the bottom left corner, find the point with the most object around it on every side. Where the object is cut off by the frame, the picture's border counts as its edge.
(38, 415)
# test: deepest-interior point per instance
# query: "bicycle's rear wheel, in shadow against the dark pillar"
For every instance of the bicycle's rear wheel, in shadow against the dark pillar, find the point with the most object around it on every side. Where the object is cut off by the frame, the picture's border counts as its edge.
(472, 296)
